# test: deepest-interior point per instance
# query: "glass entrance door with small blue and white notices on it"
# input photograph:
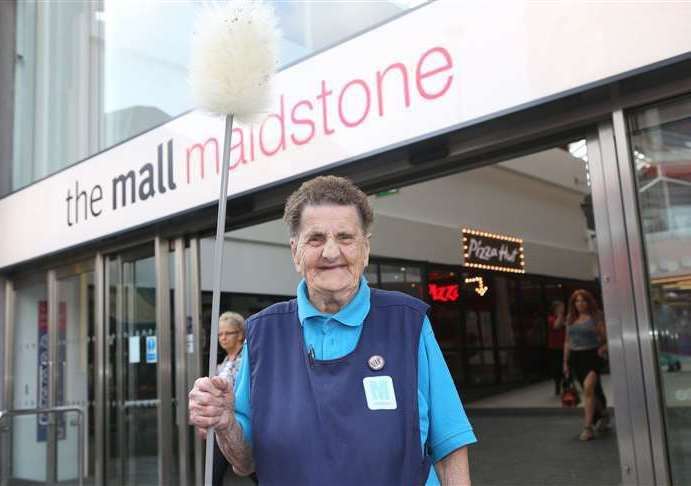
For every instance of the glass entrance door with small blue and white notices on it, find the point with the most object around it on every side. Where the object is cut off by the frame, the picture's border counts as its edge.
(132, 361)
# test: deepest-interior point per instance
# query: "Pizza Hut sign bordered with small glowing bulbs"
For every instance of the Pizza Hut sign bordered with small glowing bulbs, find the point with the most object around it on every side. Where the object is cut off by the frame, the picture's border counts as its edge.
(490, 251)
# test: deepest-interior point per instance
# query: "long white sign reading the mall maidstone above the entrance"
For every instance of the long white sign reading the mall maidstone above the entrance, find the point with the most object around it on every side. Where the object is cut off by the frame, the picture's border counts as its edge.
(438, 67)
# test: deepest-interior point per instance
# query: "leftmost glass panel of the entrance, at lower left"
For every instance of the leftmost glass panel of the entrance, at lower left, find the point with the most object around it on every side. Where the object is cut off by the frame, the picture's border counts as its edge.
(29, 433)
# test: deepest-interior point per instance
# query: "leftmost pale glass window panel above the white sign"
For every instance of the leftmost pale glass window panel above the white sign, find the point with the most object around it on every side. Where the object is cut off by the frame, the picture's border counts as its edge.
(53, 95)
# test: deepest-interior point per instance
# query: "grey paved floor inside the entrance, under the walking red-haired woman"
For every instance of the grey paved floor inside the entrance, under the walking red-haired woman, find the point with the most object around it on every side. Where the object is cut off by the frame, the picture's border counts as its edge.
(519, 448)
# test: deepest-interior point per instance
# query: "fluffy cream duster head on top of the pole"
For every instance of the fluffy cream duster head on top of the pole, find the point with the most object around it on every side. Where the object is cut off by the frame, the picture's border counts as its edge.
(234, 55)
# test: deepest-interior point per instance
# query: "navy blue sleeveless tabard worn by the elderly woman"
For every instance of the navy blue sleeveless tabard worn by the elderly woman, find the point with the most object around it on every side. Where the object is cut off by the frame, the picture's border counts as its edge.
(310, 421)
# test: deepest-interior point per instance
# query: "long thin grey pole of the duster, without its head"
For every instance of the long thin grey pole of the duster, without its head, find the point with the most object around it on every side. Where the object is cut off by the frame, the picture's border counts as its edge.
(218, 274)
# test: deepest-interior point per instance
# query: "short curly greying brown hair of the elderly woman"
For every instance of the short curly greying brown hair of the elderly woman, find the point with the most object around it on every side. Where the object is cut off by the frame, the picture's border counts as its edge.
(327, 190)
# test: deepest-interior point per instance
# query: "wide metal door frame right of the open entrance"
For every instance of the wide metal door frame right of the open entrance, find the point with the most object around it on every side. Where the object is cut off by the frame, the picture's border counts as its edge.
(640, 429)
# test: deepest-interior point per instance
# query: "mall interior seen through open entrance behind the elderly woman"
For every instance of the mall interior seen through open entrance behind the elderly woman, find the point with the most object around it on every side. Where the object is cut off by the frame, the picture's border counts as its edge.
(491, 322)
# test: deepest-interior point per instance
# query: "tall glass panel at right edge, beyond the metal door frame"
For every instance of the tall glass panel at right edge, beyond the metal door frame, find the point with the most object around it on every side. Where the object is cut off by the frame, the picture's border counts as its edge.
(661, 146)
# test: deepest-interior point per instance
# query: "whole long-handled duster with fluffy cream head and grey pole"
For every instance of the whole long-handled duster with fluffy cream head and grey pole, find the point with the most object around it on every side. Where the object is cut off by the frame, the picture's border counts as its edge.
(234, 54)
